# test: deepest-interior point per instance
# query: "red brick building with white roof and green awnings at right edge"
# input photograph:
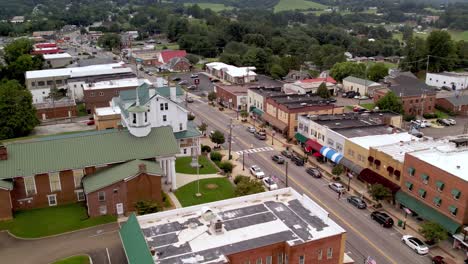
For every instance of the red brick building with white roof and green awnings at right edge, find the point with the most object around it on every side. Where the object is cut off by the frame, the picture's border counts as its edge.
(435, 183)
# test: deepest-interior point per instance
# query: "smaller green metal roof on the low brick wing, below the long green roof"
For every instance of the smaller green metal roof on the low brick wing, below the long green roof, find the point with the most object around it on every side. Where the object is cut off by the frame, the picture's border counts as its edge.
(106, 177)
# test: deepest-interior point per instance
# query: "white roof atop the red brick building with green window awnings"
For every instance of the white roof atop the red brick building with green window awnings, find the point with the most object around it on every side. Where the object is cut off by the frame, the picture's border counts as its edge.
(447, 157)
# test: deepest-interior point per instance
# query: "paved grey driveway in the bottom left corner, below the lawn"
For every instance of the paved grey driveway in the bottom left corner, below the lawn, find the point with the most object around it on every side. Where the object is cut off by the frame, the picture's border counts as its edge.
(101, 243)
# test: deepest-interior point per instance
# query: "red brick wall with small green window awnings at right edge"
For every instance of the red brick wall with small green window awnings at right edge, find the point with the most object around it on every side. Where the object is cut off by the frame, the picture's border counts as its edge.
(435, 174)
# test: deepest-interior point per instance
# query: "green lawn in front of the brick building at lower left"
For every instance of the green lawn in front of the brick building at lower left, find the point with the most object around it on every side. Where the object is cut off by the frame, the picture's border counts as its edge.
(51, 221)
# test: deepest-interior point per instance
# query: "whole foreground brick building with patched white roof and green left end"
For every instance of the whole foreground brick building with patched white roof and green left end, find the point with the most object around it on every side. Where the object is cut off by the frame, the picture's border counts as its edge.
(257, 228)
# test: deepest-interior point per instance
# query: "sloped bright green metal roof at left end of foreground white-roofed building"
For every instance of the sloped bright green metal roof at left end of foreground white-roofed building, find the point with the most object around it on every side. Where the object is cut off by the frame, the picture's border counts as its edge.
(134, 242)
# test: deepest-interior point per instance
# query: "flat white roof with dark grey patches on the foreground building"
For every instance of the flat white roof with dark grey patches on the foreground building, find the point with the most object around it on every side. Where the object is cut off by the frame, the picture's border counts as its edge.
(248, 222)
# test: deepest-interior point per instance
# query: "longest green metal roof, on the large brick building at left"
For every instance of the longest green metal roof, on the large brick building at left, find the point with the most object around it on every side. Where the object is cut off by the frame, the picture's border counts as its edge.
(81, 150)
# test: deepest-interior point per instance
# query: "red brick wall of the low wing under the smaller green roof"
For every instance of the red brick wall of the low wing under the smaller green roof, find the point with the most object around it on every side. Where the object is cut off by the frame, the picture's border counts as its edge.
(142, 187)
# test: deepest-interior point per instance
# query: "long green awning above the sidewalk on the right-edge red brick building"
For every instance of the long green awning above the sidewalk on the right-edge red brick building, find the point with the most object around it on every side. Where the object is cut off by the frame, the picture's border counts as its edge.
(426, 212)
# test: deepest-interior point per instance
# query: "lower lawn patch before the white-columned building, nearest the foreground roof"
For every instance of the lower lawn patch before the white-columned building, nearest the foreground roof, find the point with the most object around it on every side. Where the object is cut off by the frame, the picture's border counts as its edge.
(213, 189)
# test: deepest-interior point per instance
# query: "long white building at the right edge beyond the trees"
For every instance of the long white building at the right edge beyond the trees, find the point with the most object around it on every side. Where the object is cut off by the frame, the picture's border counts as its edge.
(452, 80)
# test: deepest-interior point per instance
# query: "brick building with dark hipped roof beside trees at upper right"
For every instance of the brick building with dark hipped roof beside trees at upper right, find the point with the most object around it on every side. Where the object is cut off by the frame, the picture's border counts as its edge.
(417, 97)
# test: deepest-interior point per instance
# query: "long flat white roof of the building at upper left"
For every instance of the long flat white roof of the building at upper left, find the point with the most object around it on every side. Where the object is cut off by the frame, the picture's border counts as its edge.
(68, 71)
